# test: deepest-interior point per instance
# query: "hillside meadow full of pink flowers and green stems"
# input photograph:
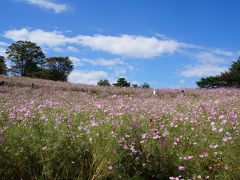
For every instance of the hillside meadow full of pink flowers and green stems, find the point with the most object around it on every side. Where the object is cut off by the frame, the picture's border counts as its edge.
(61, 130)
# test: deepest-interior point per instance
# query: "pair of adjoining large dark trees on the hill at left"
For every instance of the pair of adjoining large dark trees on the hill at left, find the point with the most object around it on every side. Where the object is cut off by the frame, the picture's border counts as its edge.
(29, 60)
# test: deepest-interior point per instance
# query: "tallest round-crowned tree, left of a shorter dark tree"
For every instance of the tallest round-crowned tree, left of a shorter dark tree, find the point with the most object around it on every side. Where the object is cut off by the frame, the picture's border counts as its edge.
(27, 58)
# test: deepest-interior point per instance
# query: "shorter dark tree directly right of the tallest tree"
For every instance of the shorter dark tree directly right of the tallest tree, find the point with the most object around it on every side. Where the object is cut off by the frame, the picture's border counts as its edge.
(58, 68)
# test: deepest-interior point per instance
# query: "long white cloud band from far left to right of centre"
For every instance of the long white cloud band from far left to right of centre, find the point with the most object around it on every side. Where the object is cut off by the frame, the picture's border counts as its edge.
(123, 45)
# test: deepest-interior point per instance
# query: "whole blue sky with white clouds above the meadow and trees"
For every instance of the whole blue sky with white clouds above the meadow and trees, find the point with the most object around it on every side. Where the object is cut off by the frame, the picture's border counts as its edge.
(166, 43)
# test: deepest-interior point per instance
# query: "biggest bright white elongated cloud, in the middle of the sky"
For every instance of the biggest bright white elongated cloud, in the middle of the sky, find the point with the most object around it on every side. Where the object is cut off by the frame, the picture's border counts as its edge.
(130, 45)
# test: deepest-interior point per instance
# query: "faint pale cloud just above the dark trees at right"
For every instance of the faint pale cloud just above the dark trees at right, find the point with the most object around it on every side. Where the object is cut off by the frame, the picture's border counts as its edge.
(203, 70)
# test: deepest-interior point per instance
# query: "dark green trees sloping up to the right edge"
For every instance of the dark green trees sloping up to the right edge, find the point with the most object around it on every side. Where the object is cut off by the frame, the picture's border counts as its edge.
(229, 78)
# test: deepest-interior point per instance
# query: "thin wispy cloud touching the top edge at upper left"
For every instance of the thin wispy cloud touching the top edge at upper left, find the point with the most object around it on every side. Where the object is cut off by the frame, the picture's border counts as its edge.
(49, 5)
